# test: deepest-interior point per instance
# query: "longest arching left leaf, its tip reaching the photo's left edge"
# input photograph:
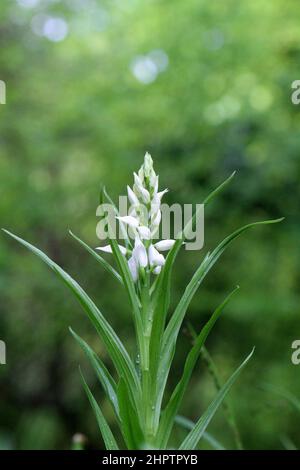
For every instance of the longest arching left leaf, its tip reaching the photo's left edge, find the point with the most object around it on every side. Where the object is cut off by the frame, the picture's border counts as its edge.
(115, 347)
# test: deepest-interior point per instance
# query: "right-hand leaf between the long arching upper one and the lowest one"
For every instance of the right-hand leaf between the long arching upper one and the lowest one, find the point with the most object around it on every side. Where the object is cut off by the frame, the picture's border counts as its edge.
(173, 405)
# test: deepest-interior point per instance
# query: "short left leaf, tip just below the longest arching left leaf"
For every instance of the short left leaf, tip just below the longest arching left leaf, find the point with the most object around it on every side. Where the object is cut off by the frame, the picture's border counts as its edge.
(106, 380)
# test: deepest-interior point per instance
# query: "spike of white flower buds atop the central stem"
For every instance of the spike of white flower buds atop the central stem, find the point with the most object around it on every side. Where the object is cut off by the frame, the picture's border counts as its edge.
(143, 221)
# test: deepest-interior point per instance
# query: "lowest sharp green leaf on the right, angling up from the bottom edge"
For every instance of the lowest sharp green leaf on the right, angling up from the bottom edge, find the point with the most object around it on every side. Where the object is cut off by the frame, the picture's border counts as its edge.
(194, 436)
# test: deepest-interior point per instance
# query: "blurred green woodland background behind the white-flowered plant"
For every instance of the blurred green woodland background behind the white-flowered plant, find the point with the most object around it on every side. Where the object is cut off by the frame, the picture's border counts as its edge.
(205, 87)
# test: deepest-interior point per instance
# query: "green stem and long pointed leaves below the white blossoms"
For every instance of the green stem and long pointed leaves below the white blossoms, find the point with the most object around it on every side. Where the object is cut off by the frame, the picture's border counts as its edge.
(137, 396)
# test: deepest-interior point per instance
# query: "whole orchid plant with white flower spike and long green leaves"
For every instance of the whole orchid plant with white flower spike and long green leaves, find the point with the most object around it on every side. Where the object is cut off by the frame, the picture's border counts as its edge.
(136, 390)
